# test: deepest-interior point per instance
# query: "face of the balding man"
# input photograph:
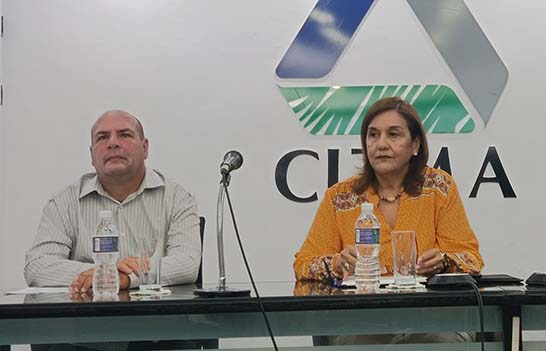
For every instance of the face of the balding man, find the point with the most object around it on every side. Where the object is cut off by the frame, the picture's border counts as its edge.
(117, 149)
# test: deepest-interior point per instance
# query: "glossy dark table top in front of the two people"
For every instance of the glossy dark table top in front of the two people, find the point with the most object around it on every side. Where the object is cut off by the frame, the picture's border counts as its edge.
(276, 296)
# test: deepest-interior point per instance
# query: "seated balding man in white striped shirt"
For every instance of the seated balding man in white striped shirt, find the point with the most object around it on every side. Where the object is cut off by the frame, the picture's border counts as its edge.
(145, 206)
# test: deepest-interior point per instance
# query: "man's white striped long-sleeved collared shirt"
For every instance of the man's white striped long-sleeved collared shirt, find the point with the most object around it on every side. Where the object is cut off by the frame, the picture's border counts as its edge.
(160, 207)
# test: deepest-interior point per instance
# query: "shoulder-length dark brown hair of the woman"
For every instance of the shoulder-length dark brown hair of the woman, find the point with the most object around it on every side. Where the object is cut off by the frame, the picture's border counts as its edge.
(414, 179)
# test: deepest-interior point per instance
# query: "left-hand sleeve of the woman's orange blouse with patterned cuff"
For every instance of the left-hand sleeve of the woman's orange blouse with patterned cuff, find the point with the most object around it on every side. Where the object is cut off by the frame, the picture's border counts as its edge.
(317, 257)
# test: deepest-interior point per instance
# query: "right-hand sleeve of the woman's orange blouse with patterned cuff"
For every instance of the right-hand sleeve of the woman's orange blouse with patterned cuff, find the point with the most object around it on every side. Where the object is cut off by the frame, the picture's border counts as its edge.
(455, 236)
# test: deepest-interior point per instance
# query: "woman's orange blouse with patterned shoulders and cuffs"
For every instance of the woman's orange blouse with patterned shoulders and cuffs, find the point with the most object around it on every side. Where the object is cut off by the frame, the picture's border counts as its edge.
(437, 215)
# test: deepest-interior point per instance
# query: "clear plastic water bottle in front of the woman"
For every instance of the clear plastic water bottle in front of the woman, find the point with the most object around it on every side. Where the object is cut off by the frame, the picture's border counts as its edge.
(367, 270)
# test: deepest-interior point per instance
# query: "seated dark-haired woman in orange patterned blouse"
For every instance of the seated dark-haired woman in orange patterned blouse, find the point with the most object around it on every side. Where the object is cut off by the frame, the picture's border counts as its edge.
(406, 194)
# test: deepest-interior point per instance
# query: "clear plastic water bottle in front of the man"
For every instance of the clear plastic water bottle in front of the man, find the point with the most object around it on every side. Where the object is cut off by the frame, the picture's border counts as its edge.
(105, 255)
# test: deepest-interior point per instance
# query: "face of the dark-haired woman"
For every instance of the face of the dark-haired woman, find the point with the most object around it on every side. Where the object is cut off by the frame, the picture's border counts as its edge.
(389, 144)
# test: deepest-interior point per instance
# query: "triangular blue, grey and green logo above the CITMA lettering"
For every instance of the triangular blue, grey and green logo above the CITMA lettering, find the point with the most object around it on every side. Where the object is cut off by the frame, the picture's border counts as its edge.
(339, 110)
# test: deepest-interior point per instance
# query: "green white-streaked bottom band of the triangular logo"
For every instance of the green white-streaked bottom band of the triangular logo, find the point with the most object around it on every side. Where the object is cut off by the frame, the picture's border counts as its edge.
(341, 110)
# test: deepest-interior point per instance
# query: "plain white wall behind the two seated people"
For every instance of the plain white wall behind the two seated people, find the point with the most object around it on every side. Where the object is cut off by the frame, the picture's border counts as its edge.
(200, 74)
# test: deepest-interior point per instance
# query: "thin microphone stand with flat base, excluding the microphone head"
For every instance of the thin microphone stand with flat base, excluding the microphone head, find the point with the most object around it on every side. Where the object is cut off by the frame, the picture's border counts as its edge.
(221, 290)
